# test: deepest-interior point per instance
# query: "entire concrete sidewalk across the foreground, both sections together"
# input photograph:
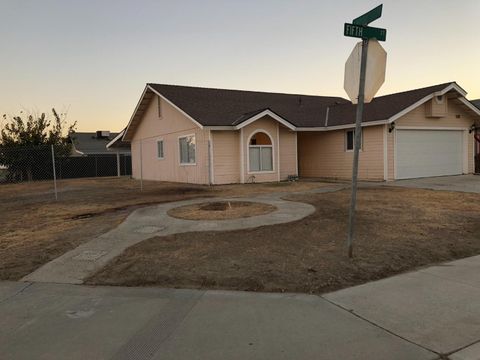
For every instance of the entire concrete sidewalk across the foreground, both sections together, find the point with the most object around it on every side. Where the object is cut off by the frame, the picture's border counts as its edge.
(433, 313)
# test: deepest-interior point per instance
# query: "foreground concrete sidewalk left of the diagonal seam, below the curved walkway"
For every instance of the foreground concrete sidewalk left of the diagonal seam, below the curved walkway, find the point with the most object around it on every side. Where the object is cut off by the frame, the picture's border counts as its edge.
(56, 321)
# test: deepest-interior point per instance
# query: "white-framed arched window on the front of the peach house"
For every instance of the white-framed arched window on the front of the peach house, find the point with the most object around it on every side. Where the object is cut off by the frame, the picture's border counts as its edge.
(260, 152)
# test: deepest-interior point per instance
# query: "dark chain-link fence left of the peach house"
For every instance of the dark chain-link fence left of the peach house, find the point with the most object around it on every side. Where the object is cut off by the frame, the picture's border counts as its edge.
(53, 163)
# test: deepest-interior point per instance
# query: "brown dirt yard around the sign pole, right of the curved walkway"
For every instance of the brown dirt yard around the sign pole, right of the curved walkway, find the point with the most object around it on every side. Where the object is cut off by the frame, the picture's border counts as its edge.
(397, 230)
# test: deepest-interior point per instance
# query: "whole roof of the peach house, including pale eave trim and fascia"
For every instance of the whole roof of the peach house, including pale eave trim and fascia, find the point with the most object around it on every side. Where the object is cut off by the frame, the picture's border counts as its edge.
(236, 108)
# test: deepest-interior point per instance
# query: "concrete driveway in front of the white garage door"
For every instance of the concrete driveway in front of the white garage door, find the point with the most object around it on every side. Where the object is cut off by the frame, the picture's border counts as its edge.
(463, 183)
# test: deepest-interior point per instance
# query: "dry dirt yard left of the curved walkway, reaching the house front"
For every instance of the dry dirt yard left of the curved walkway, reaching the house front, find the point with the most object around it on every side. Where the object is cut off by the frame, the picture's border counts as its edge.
(34, 228)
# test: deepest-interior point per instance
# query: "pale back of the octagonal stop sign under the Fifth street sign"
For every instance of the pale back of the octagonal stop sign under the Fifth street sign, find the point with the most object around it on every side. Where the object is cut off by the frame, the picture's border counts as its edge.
(375, 71)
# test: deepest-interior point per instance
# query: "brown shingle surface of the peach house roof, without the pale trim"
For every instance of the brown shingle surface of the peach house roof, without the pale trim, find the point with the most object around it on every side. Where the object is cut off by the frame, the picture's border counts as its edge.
(220, 107)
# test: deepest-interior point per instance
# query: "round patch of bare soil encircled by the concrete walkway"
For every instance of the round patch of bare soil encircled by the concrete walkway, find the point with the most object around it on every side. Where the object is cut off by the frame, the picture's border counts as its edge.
(221, 210)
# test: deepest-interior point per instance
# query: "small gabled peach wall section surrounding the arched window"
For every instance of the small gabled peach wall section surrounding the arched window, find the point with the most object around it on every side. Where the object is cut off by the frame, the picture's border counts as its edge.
(271, 127)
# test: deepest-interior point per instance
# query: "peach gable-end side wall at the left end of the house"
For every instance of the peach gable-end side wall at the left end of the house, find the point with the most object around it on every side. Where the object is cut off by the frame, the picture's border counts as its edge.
(169, 127)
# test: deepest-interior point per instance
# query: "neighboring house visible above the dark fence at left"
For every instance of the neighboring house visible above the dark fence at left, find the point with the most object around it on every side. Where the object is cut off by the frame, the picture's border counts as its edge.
(87, 143)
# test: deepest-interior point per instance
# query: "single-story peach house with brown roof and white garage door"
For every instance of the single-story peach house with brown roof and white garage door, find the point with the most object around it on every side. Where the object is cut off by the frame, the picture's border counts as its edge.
(217, 136)
